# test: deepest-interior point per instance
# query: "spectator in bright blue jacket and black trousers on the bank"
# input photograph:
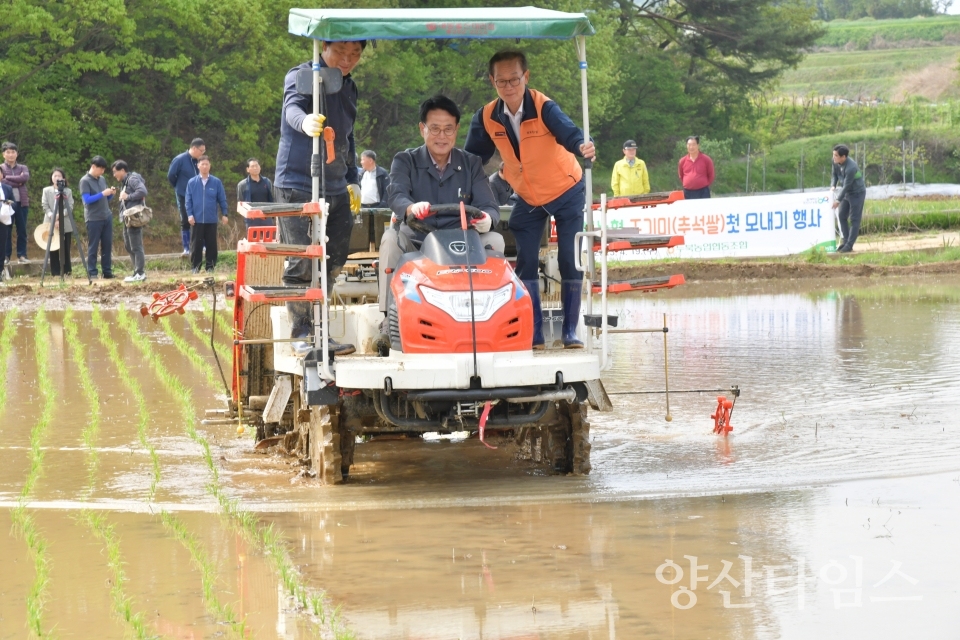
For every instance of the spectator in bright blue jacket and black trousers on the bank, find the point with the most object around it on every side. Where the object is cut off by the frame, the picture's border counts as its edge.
(204, 194)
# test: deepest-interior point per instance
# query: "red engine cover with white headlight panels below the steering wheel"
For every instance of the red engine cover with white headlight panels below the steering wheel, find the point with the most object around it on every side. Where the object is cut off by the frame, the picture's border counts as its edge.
(425, 328)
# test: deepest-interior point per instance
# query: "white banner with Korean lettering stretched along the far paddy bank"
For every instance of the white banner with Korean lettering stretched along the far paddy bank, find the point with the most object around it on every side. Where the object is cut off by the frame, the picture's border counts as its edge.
(745, 227)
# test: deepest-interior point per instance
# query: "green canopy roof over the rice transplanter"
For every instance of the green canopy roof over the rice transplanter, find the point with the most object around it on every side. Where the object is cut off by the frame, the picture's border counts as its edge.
(399, 24)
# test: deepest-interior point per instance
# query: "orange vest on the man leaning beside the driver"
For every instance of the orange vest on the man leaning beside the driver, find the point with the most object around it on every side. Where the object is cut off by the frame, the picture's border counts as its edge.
(550, 169)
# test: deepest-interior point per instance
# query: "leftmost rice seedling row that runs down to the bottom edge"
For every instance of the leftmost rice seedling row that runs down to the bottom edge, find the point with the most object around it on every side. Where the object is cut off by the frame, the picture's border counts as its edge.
(24, 524)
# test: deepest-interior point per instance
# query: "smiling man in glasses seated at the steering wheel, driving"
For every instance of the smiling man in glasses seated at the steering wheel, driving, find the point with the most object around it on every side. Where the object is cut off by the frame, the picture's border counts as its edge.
(435, 173)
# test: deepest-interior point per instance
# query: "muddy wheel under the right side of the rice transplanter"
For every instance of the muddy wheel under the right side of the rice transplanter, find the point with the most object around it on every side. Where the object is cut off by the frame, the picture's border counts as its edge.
(560, 444)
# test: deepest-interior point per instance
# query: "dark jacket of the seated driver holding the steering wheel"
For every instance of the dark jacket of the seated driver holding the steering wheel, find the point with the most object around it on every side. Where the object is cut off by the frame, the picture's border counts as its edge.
(414, 178)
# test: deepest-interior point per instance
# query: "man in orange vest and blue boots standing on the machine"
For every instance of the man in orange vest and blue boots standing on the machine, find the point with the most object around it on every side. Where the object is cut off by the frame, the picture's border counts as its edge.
(539, 145)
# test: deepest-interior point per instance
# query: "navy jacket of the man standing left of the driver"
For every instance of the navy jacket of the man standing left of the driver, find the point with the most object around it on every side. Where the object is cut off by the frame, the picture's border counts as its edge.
(296, 147)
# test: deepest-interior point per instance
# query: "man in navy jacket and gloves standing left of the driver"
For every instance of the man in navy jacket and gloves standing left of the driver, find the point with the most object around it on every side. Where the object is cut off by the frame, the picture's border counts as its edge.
(293, 182)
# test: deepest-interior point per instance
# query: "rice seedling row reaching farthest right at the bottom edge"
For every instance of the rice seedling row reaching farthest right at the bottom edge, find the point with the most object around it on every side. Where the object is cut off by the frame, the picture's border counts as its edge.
(266, 538)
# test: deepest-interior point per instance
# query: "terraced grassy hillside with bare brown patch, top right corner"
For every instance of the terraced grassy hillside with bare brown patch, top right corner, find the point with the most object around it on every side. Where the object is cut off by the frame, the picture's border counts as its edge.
(890, 60)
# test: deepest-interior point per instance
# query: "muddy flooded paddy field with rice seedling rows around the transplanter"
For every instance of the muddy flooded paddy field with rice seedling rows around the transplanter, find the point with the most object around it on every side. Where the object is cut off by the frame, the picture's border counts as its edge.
(832, 510)
